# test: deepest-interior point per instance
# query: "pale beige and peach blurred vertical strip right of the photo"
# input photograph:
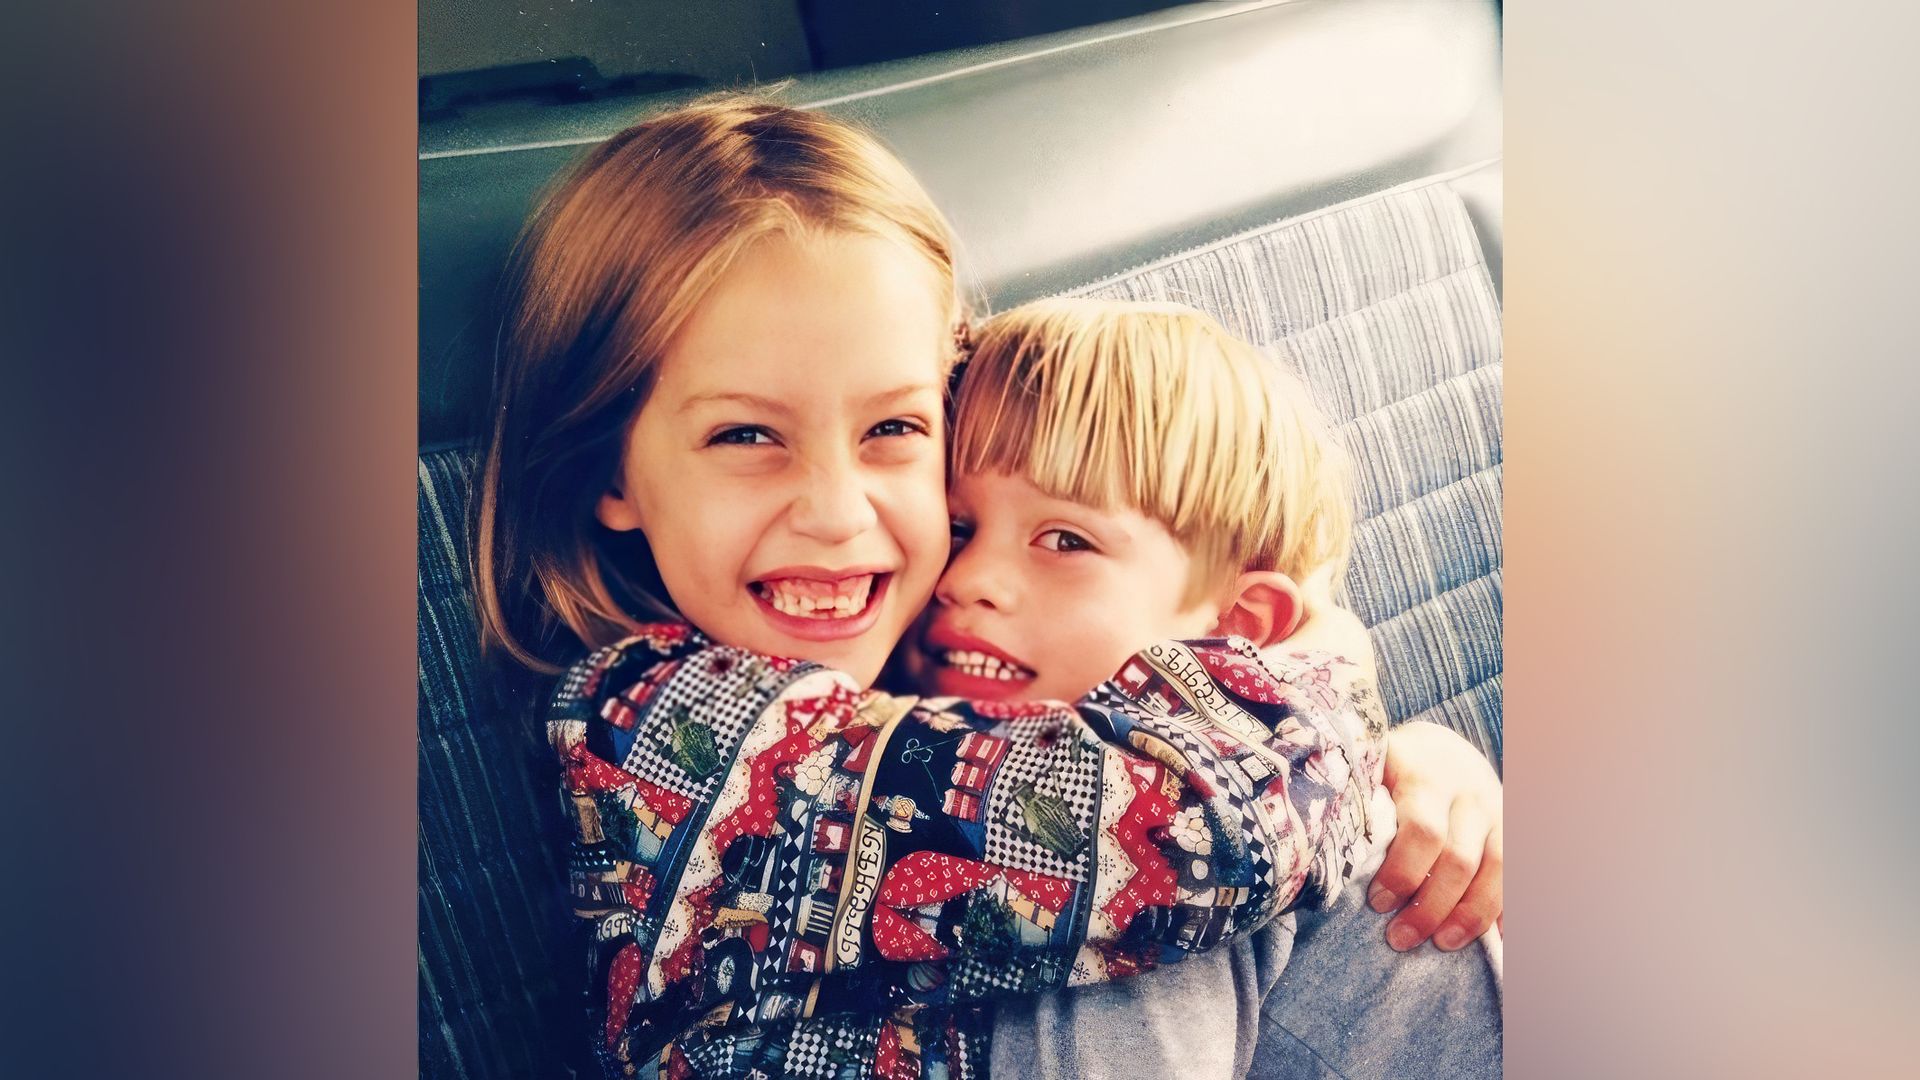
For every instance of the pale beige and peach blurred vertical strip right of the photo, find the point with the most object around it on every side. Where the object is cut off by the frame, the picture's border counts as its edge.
(1712, 589)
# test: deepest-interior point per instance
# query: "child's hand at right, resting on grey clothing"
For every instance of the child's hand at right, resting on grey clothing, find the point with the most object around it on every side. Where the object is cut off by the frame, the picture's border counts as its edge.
(1449, 848)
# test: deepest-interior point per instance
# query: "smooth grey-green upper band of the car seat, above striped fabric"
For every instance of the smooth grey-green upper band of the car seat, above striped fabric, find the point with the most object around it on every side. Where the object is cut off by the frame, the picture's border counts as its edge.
(1061, 160)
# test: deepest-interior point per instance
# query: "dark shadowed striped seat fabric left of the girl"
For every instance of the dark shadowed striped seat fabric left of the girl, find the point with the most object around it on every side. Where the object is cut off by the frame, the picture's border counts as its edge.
(496, 941)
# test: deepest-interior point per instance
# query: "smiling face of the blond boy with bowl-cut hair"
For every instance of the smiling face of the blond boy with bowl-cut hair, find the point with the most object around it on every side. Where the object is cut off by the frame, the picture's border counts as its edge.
(1047, 599)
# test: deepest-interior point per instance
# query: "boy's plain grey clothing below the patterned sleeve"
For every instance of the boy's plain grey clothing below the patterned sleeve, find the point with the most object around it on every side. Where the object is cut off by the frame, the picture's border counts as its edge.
(1316, 994)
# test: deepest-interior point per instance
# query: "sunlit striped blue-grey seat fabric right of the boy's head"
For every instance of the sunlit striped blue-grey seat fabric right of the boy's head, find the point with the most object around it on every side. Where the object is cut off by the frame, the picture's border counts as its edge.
(1387, 310)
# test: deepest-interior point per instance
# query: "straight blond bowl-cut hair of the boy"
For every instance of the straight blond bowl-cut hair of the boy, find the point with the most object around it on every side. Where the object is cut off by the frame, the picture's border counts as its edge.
(1157, 408)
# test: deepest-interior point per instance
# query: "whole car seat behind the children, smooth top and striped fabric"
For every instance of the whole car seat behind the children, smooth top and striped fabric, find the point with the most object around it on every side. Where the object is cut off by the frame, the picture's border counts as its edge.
(1385, 301)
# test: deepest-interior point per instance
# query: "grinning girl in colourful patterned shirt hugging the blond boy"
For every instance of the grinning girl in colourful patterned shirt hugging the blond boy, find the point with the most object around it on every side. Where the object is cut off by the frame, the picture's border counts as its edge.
(721, 403)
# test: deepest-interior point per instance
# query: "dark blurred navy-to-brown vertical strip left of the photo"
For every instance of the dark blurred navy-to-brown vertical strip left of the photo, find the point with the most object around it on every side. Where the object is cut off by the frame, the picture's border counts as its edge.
(210, 499)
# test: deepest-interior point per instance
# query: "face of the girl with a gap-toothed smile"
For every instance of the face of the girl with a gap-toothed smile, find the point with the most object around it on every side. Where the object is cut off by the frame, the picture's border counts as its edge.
(790, 466)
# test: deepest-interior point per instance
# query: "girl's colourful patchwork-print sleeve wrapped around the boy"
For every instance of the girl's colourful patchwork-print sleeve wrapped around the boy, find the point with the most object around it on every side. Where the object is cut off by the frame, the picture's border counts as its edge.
(757, 841)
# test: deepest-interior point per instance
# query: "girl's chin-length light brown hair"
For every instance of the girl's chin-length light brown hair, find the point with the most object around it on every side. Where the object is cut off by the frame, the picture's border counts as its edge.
(612, 264)
